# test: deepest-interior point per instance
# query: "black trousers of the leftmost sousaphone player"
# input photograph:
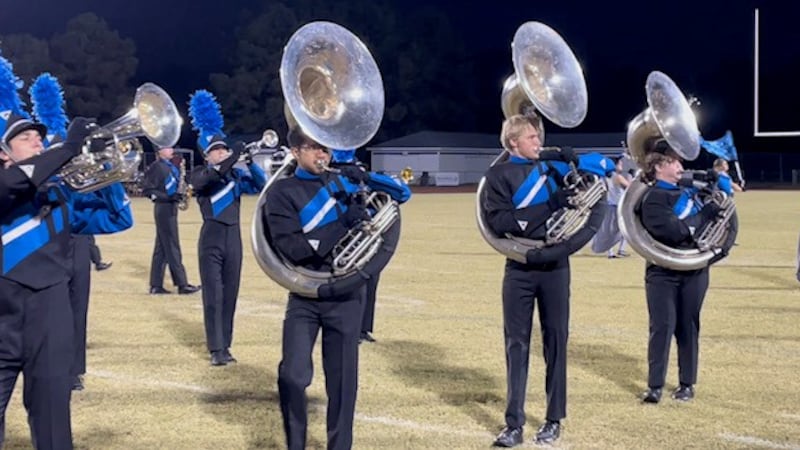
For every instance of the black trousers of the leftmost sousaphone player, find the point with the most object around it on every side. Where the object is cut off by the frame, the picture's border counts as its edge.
(340, 320)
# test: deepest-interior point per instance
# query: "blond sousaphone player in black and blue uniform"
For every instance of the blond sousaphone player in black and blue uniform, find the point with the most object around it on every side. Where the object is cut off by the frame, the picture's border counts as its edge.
(520, 196)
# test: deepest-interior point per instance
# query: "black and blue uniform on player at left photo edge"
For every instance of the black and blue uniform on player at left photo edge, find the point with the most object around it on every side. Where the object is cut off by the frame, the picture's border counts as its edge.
(36, 336)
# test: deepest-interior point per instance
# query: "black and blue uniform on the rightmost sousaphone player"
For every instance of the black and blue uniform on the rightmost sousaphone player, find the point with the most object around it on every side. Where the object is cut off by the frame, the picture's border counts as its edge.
(674, 297)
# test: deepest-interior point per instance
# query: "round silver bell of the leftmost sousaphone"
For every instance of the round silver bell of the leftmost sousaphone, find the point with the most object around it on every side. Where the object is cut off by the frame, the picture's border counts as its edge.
(332, 86)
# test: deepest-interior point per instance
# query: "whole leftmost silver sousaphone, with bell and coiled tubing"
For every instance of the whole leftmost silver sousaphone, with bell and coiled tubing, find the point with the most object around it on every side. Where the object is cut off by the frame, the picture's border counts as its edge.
(333, 91)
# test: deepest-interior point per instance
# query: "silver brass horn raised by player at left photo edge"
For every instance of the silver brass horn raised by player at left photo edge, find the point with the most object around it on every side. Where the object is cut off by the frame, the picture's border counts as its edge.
(153, 116)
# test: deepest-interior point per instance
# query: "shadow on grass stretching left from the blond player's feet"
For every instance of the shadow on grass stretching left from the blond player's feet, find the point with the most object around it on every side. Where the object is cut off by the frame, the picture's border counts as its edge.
(473, 391)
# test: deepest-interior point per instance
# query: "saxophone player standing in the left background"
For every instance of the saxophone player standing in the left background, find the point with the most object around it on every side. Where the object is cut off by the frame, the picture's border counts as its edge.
(160, 184)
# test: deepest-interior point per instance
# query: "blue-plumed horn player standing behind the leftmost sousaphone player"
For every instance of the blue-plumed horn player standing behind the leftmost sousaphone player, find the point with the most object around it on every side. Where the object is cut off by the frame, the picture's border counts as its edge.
(218, 187)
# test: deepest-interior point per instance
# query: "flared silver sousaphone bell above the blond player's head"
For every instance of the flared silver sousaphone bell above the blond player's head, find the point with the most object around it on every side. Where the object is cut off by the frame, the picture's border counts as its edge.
(550, 74)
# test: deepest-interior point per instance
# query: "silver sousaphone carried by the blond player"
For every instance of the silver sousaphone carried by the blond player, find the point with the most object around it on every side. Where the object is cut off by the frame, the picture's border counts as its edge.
(547, 78)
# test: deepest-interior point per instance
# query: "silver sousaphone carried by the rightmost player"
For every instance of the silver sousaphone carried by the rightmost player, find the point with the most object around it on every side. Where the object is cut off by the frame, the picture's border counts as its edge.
(669, 116)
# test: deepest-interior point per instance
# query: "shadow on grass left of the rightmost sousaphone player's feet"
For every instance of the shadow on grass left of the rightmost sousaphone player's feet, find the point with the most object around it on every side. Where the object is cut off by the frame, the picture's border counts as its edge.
(603, 360)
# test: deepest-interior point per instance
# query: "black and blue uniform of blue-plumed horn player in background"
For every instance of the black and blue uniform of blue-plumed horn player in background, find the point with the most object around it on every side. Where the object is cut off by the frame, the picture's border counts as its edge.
(218, 191)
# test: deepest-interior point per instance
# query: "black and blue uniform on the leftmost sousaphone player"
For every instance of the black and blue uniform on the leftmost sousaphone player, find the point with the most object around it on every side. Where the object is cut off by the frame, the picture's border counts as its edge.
(307, 215)
